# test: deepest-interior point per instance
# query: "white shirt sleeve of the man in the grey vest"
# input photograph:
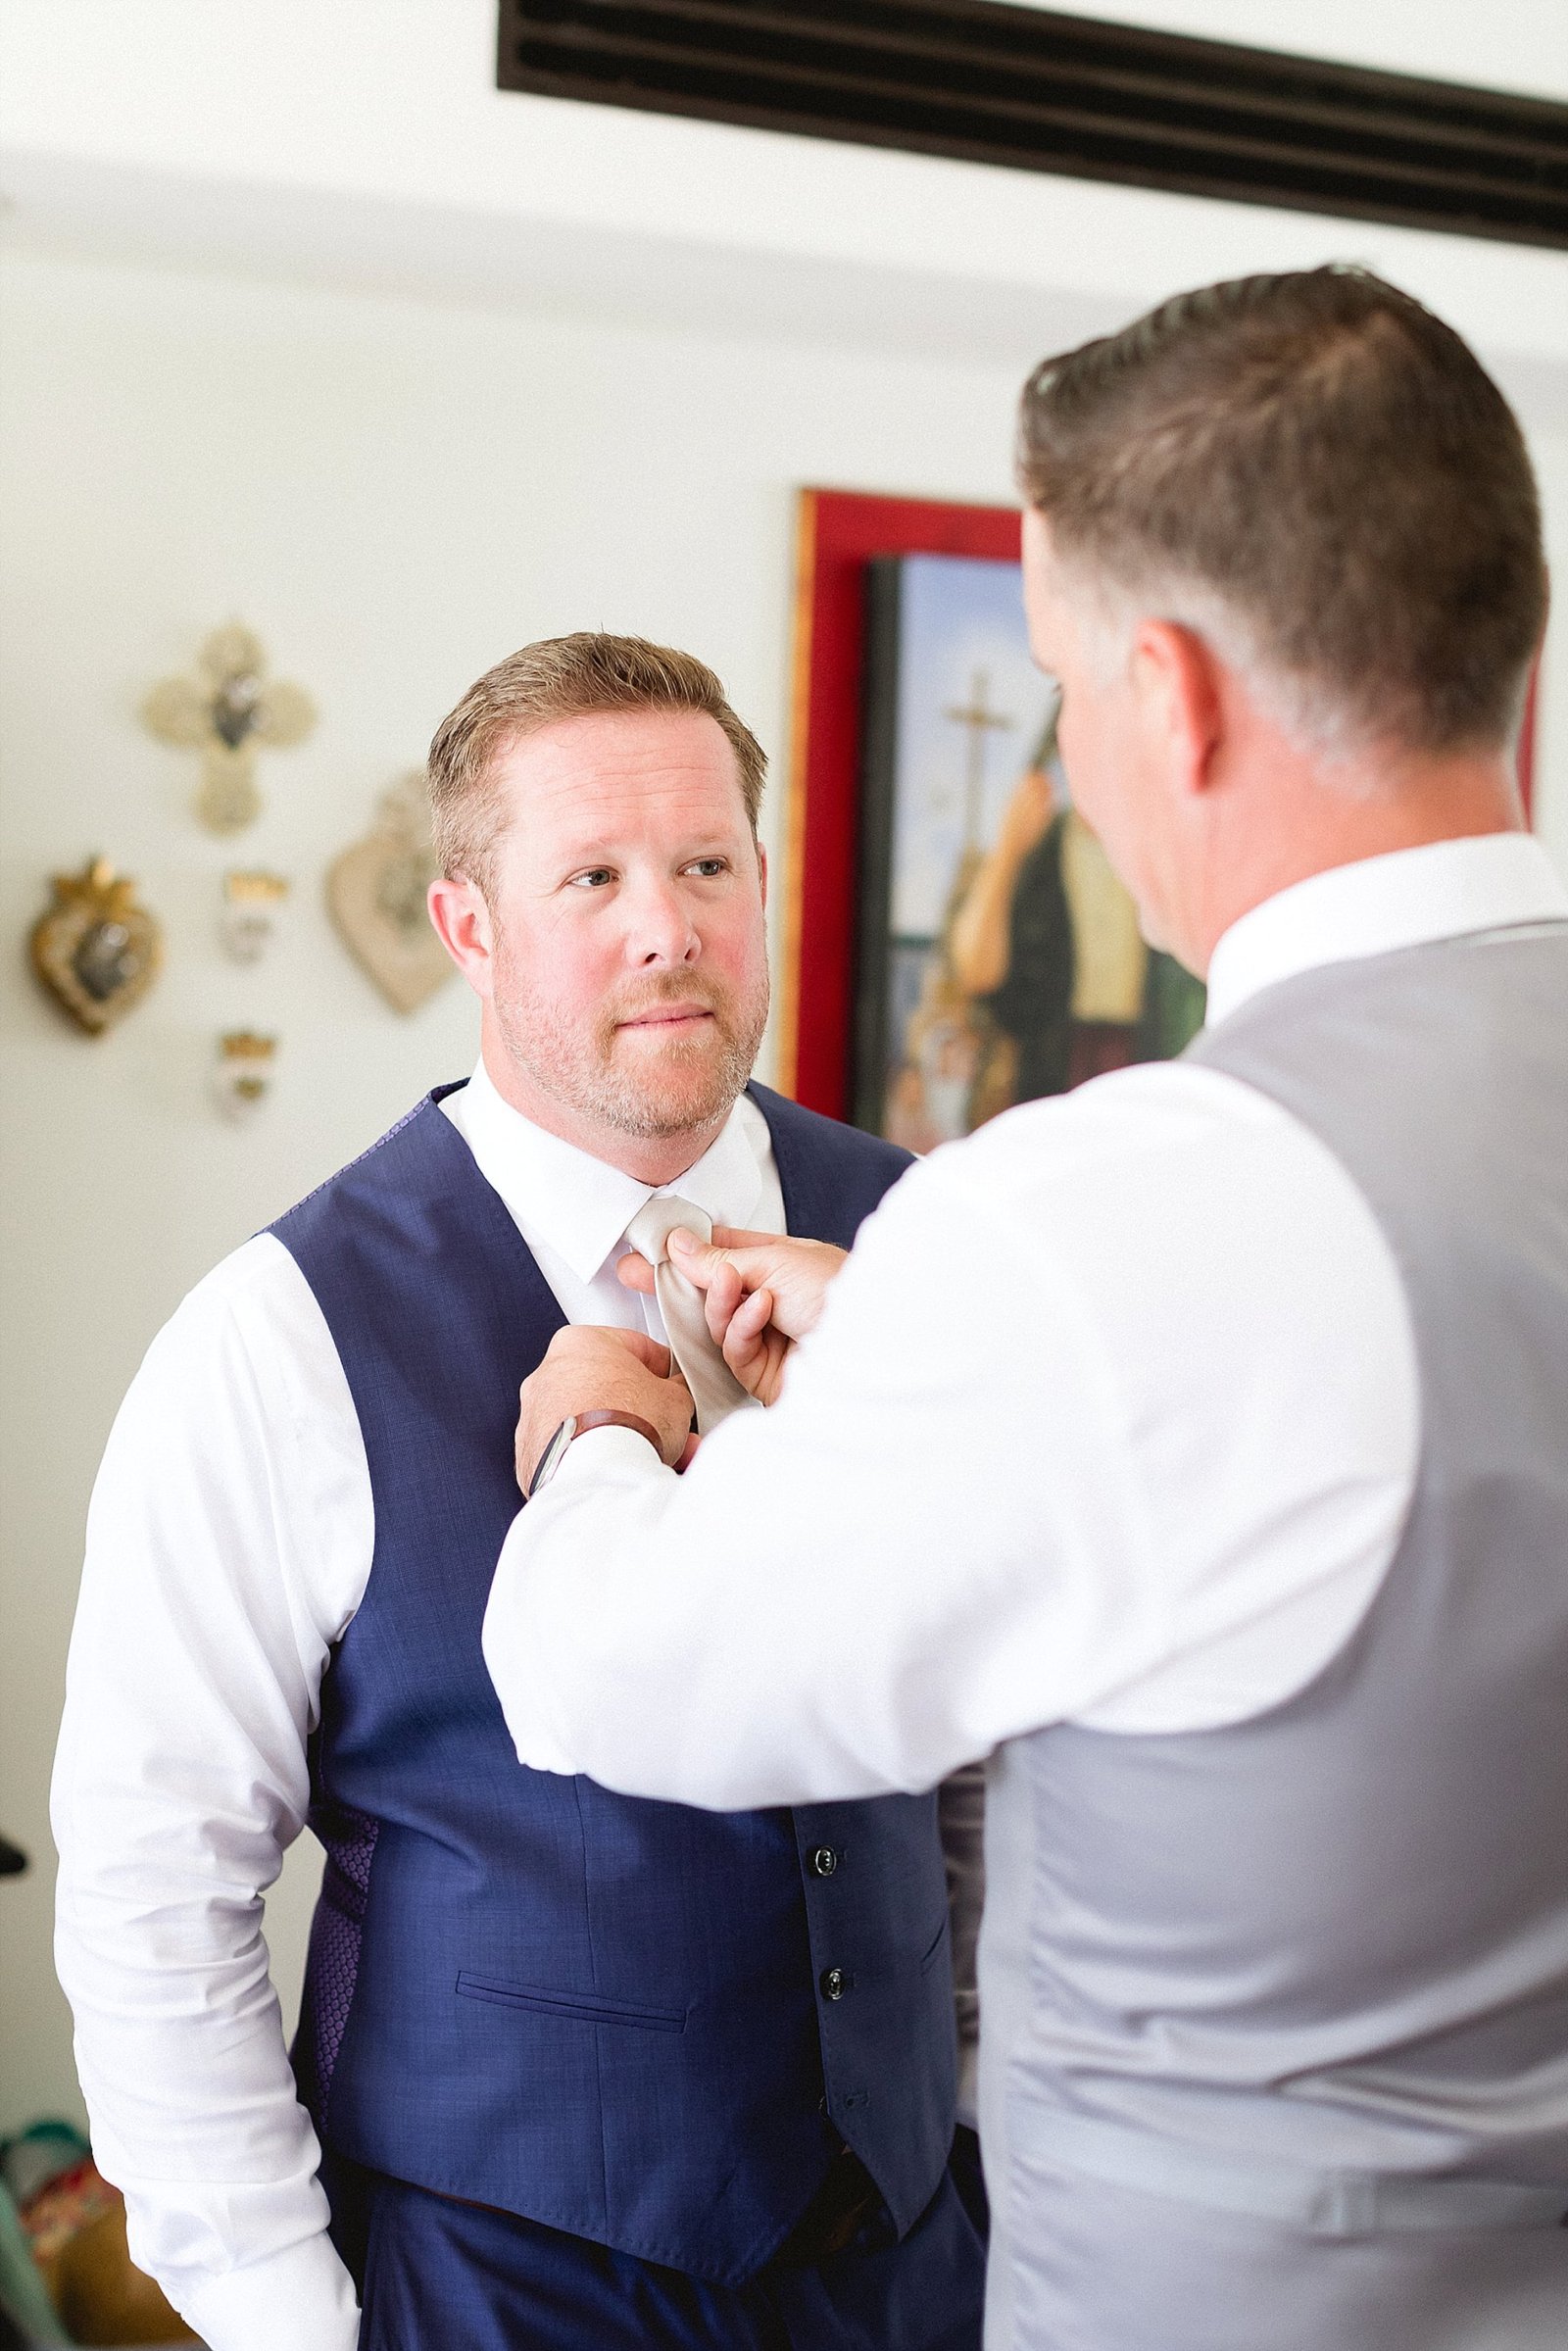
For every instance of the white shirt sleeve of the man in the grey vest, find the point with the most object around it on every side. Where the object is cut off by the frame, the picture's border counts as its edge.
(1113, 1416)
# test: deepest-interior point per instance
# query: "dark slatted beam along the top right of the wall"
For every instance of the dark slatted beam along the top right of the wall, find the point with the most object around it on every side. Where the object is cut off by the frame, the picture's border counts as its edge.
(1047, 93)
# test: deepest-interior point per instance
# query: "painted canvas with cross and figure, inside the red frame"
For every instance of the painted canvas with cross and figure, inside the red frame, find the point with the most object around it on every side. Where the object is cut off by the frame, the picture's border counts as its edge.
(1005, 960)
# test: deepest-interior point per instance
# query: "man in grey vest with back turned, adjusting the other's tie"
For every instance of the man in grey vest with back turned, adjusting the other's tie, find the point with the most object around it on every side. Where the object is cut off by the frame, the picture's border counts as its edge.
(1195, 1447)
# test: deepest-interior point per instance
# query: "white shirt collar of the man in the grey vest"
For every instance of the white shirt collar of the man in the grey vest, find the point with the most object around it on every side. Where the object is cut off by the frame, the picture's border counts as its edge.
(1376, 906)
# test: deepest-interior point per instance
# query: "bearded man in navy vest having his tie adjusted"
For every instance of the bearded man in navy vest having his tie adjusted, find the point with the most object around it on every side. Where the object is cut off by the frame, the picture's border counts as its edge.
(582, 2068)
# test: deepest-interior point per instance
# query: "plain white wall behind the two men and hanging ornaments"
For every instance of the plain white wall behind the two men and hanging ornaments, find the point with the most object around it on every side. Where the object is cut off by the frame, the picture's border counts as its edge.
(396, 493)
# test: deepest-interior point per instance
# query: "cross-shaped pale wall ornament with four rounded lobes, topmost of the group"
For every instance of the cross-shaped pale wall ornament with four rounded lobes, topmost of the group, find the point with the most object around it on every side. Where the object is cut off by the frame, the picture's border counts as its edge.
(229, 714)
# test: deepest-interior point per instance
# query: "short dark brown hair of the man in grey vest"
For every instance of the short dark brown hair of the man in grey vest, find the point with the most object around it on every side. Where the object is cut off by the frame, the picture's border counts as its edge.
(1336, 467)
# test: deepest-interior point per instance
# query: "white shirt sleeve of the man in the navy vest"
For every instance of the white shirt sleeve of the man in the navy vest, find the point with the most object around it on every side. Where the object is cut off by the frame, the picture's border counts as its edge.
(227, 1548)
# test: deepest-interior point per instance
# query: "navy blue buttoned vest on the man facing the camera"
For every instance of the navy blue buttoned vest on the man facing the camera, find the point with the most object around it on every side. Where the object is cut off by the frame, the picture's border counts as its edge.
(603, 2014)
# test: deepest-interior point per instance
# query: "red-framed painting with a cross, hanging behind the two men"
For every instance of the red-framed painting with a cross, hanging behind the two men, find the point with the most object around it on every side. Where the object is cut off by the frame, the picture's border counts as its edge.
(956, 939)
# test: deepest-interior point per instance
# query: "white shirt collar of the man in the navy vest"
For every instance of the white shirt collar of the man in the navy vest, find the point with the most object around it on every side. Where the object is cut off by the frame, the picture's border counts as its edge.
(579, 1205)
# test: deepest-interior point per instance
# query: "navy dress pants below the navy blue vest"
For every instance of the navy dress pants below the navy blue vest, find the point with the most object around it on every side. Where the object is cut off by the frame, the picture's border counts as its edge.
(450, 2277)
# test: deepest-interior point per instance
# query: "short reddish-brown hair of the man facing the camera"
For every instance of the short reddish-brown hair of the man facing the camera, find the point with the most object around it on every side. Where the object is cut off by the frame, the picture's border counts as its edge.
(561, 678)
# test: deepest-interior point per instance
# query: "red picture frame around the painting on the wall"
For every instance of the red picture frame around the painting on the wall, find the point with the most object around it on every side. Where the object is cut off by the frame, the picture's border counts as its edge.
(838, 533)
